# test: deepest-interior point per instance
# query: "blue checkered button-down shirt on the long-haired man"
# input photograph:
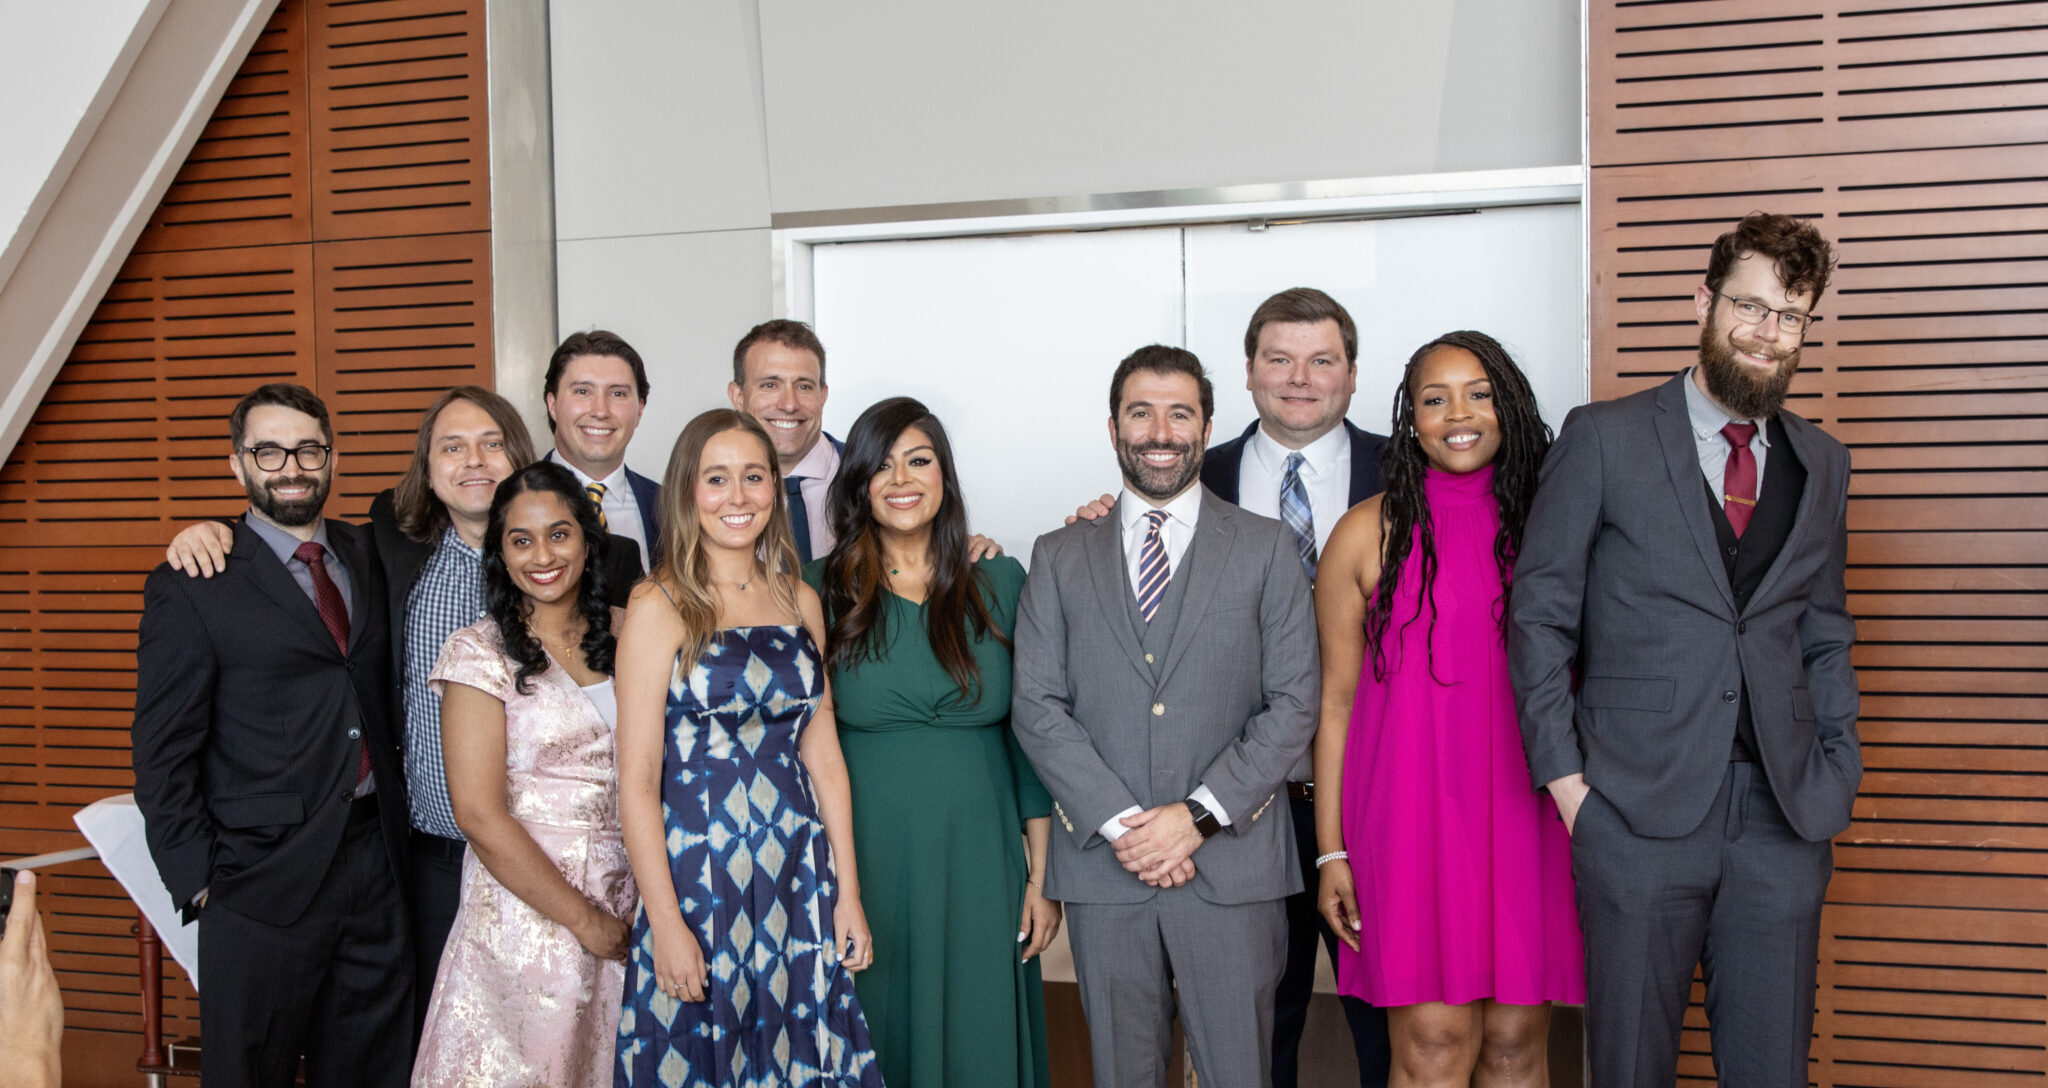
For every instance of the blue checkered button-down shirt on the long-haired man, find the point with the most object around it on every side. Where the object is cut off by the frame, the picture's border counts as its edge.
(447, 599)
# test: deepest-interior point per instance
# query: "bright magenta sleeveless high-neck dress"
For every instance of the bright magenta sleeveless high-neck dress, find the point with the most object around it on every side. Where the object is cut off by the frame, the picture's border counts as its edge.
(1463, 874)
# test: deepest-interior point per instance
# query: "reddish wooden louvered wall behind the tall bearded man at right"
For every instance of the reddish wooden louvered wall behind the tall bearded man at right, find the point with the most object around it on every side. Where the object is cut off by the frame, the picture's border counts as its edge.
(1932, 368)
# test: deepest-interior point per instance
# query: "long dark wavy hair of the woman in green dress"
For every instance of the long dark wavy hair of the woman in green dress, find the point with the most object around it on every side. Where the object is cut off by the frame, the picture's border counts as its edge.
(853, 577)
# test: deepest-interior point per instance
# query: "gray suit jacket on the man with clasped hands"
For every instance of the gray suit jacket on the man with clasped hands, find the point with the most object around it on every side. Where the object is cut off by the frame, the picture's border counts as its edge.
(1232, 704)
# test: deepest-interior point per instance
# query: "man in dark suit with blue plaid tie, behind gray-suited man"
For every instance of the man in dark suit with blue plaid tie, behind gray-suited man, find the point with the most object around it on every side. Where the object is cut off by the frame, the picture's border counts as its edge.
(1304, 464)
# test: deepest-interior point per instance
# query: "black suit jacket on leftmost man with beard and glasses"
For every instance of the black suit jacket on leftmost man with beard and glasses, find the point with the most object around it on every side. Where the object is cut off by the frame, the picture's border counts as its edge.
(251, 726)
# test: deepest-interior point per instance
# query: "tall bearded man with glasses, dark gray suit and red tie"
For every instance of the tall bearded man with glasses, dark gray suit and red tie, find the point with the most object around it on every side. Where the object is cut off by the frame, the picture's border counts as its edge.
(1687, 558)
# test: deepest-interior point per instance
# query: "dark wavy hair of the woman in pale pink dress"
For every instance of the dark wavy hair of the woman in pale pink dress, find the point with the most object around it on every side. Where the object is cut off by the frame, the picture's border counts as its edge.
(511, 608)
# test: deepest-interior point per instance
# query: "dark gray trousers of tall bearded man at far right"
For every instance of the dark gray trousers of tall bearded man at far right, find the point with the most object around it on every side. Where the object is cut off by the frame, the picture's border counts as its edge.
(1742, 898)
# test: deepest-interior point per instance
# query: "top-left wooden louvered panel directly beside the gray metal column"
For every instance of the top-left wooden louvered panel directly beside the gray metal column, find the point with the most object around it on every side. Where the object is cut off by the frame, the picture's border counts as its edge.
(400, 132)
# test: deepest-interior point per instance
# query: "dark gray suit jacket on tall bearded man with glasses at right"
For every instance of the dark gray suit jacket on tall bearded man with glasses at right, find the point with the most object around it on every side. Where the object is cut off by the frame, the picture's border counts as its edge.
(1621, 579)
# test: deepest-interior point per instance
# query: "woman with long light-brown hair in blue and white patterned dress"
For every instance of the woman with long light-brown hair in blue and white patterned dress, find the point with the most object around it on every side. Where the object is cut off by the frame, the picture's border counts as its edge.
(732, 796)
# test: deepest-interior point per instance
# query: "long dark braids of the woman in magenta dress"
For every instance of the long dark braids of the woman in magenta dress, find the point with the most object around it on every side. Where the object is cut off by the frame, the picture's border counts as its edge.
(1406, 509)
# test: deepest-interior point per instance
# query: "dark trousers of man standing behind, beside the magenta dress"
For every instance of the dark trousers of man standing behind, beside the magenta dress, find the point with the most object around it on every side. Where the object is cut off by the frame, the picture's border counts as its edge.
(1297, 985)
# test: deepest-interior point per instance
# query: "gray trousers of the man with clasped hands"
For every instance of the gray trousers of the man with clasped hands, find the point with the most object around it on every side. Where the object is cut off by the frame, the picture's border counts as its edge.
(1224, 960)
